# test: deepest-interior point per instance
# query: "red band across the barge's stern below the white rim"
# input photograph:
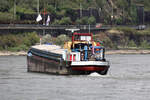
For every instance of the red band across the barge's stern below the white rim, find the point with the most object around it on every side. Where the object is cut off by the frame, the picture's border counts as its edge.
(89, 68)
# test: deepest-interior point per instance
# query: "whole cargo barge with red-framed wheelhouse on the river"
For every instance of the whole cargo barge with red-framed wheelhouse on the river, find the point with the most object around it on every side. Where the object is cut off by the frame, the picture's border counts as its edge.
(80, 56)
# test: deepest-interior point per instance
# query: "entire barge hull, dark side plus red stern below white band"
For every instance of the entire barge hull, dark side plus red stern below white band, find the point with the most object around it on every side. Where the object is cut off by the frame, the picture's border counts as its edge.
(46, 65)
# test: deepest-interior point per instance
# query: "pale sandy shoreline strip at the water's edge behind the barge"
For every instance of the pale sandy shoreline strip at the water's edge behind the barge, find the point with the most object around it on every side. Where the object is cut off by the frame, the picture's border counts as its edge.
(108, 52)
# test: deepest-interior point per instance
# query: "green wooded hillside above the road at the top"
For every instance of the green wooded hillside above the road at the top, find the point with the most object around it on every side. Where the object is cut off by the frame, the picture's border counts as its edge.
(116, 11)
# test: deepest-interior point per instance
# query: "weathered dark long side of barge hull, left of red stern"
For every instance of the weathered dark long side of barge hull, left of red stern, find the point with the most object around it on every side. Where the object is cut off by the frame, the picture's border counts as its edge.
(45, 65)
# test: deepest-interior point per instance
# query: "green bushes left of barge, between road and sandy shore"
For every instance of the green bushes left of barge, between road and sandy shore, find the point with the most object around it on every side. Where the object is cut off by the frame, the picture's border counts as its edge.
(18, 41)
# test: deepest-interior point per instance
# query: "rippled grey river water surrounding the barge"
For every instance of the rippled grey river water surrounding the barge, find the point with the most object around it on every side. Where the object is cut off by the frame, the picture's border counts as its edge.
(127, 79)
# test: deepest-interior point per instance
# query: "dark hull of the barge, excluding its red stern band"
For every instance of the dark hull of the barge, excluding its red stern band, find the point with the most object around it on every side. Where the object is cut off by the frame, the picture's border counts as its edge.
(45, 65)
